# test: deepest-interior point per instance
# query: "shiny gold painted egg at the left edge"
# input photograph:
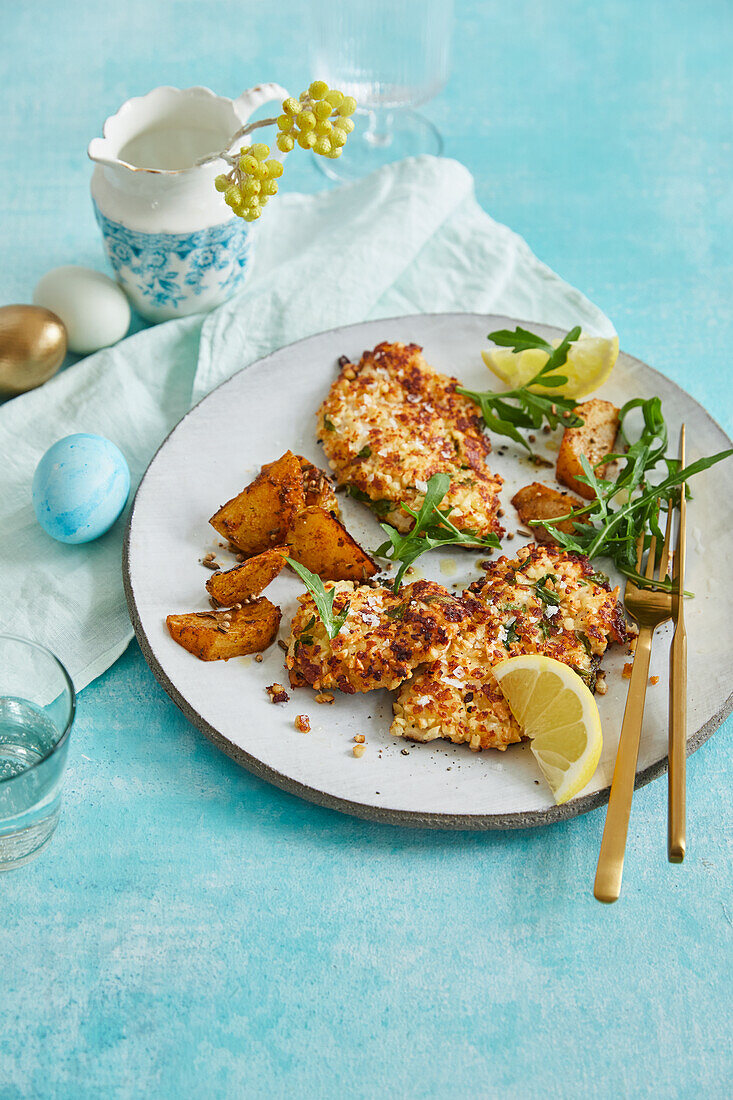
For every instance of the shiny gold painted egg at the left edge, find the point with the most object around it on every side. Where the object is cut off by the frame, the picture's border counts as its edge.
(32, 348)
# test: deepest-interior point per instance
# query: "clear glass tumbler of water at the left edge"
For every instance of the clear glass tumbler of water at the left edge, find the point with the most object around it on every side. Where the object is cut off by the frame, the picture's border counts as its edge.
(37, 712)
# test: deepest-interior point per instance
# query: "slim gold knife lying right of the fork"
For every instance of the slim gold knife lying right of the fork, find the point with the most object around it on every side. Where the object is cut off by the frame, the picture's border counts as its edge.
(679, 691)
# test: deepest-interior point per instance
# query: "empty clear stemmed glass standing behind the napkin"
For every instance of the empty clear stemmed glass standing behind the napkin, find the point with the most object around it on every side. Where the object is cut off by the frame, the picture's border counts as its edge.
(391, 56)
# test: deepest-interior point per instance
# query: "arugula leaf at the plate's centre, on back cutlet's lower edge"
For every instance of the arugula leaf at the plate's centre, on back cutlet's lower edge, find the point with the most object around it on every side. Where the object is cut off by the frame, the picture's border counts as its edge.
(432, 529)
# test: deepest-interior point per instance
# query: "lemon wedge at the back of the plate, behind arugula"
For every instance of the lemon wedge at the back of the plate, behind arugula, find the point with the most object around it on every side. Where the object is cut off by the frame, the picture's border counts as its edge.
(589, 364)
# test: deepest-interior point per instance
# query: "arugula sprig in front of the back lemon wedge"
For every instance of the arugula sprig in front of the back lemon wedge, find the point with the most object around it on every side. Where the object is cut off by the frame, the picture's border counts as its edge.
(505, 414)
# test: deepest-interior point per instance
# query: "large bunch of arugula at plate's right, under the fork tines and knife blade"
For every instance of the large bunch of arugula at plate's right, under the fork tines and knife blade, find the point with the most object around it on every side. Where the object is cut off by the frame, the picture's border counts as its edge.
(625, 509)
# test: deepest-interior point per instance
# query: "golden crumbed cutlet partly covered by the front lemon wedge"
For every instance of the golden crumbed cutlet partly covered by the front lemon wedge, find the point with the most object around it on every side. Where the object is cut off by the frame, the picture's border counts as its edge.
(544, 601)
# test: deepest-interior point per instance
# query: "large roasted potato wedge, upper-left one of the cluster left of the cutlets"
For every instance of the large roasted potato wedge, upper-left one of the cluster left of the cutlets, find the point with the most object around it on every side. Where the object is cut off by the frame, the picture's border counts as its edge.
(261, 515)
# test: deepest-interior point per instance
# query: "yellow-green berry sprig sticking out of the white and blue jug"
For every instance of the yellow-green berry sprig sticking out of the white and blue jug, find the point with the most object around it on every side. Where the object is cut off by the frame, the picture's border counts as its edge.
(320, 120)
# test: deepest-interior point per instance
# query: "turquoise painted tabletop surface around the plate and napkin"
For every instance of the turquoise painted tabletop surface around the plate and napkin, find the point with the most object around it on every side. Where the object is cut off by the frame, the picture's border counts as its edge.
(193, 932)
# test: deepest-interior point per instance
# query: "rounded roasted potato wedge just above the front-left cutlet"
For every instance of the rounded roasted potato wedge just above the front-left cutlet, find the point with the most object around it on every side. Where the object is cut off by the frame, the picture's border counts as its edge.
(324, 546)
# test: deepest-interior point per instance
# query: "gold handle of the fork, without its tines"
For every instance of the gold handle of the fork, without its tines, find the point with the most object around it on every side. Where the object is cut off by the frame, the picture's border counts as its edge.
(611, 861)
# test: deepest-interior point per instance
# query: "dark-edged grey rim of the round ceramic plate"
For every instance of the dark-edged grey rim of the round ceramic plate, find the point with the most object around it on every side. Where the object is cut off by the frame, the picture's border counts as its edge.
(412, 819)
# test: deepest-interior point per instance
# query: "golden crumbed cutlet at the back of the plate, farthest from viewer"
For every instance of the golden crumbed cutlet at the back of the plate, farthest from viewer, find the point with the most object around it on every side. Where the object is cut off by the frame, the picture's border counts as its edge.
(391, 422)
